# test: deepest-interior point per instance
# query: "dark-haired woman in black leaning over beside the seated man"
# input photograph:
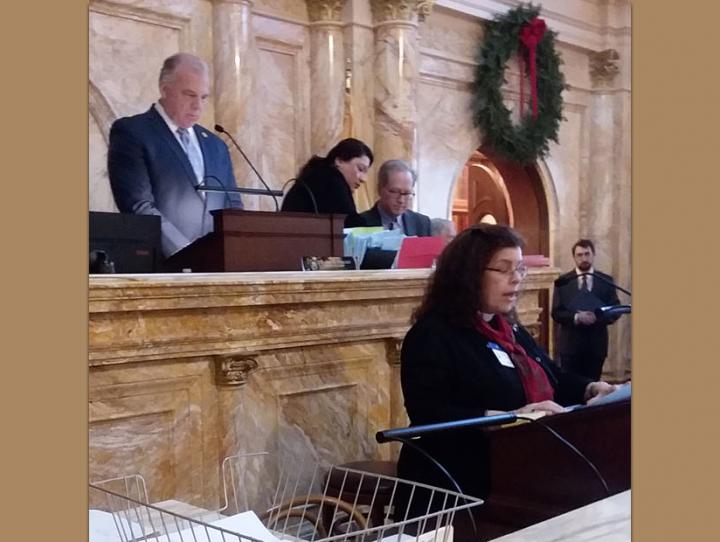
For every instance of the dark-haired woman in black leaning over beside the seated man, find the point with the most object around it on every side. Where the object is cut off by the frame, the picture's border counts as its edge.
(326, 185)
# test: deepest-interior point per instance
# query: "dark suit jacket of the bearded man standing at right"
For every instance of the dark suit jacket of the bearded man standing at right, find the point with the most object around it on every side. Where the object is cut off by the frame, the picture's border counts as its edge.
(574, 339)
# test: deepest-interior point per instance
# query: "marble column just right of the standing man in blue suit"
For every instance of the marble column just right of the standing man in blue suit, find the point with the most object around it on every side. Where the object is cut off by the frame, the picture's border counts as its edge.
(234, 65)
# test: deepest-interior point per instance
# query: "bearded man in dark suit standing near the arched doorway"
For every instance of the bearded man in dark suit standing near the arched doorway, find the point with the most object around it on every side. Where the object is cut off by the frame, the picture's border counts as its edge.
(583, 338)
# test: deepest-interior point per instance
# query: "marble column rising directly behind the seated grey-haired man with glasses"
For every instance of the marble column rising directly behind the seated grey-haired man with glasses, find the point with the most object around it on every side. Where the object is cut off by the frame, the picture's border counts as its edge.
(397, 58)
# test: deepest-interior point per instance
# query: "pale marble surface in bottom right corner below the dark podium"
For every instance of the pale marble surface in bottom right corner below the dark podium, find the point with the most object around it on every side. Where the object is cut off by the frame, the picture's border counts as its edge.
(607, 520)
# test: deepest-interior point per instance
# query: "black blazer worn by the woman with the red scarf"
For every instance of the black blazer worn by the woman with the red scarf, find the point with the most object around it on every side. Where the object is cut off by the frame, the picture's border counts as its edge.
(448, 372)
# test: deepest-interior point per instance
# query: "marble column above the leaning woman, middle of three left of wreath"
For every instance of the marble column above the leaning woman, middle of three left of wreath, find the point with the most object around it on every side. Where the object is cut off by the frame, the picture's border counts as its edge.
(327, 74)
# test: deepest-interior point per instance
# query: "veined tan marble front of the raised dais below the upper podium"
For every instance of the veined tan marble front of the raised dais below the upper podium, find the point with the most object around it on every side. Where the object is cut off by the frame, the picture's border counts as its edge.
(186, 370)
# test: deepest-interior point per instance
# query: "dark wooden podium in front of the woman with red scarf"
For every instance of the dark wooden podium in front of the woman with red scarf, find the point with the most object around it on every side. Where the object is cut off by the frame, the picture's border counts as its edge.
(536, 477)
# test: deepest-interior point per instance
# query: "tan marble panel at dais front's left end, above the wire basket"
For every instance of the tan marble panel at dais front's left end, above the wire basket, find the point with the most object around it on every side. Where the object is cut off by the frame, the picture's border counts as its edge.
(155, 421)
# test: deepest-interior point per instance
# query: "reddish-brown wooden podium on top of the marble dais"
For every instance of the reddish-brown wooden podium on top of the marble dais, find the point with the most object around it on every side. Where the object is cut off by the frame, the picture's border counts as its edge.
(260, 241)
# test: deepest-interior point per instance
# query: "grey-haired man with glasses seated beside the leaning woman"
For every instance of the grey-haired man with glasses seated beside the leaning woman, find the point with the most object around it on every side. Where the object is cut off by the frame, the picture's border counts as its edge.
(396, 181)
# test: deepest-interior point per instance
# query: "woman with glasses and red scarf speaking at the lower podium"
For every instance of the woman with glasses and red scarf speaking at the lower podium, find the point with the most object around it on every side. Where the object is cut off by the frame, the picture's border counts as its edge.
(465, 357)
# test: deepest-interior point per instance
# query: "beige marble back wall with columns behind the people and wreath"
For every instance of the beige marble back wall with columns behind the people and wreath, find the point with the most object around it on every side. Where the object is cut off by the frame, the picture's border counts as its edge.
(408, 89)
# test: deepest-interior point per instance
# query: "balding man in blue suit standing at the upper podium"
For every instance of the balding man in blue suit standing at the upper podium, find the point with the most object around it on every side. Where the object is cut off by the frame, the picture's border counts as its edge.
(157, 158)
